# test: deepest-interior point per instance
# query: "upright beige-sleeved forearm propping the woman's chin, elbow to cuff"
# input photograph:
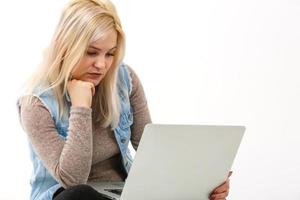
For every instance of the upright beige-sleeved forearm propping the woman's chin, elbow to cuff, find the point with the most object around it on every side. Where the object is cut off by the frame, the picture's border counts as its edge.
(76, 156)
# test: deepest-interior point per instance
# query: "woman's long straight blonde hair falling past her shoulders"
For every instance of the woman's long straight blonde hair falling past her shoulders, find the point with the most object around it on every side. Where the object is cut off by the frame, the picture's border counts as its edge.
(82, 22)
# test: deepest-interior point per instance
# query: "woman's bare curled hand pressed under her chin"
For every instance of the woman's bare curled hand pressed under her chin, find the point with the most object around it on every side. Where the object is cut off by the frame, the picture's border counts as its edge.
(81, 93)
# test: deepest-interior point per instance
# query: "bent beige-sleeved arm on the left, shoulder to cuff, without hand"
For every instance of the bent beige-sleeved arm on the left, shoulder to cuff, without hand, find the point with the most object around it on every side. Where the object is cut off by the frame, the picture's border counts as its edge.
(69, 161)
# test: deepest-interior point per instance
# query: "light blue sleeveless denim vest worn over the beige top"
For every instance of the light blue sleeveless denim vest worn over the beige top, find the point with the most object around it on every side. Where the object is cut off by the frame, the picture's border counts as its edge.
(43, 185)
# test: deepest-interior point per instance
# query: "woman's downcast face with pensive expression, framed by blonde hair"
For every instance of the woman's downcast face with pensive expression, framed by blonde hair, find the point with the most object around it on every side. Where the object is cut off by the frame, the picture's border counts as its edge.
(97, 60)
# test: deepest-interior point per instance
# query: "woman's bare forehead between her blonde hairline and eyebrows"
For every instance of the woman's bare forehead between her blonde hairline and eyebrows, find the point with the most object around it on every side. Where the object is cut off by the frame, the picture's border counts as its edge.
(107, 41)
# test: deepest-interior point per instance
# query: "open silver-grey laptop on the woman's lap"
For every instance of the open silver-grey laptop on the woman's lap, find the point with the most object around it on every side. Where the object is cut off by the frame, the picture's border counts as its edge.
(177, 162)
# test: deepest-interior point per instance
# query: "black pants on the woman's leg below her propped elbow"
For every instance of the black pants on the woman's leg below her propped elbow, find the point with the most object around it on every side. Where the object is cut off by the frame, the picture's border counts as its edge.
(78, 192)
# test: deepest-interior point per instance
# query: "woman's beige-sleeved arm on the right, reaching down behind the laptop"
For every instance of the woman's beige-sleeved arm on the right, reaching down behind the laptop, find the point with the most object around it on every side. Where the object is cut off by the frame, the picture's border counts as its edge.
(141, 115)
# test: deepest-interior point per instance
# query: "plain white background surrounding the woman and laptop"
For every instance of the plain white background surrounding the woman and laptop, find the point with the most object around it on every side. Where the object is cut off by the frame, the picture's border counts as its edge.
(201, 62)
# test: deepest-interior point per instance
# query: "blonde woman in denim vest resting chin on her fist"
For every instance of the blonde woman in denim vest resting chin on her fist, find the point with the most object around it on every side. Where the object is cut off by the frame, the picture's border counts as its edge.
(84, 106)
